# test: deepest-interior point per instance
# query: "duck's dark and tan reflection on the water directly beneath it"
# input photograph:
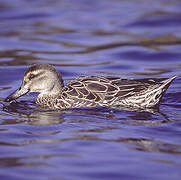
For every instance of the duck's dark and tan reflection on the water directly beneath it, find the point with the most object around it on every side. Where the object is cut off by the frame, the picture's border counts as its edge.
(30, 112)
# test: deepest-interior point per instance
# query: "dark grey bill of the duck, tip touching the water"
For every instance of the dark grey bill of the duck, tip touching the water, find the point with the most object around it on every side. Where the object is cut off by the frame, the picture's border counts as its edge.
(16, 94)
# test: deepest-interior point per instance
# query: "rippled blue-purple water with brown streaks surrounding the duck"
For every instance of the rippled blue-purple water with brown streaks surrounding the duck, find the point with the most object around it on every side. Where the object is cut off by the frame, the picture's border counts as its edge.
(131, 39)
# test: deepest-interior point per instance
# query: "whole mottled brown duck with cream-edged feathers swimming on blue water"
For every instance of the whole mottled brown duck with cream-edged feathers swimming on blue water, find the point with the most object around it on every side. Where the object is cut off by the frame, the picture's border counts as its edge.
(89, 91)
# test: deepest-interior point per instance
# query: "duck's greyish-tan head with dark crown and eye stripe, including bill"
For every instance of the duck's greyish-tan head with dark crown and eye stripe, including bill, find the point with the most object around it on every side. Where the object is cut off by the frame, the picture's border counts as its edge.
(42, 78)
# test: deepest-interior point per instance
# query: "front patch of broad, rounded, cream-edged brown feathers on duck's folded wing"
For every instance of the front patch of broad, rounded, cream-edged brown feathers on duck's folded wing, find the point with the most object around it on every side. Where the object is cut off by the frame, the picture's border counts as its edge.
(88, 88)
